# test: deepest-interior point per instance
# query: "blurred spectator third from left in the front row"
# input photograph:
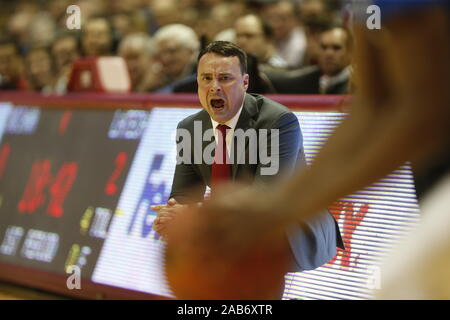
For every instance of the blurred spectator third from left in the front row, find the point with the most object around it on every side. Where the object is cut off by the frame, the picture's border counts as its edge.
(65, 50)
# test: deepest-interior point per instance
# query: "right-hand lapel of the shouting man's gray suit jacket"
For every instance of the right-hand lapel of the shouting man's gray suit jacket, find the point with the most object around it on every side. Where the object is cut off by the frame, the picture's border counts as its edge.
(246, 121)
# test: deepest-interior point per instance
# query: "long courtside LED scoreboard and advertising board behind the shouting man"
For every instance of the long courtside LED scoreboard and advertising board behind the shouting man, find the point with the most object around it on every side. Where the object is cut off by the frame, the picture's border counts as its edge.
(76, 186)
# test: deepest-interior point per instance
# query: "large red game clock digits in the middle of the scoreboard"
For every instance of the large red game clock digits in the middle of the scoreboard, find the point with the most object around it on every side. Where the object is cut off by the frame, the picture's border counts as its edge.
(40, 179)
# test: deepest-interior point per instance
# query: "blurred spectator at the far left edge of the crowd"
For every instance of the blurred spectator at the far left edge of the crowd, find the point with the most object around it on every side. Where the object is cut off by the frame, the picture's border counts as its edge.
(11, 67)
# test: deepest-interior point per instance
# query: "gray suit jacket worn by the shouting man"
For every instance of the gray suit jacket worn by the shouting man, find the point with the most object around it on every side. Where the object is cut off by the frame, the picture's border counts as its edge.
(312, 243)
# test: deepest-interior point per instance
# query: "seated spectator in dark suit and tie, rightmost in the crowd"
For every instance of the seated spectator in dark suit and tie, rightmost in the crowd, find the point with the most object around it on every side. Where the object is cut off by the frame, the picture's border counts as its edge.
(330, 76)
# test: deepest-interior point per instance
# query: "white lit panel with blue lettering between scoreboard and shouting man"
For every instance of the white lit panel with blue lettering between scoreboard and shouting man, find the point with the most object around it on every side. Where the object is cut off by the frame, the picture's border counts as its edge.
(132, 254)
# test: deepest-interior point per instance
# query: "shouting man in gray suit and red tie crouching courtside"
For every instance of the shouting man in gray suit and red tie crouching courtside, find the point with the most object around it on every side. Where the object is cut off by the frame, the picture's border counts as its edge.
(230, 111)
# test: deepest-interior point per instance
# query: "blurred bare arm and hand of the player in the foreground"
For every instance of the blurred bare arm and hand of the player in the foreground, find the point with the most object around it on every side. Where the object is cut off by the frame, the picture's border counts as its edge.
(400, 113)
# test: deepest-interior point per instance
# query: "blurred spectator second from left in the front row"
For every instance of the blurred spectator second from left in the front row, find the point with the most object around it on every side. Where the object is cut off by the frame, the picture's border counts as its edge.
(39, 69)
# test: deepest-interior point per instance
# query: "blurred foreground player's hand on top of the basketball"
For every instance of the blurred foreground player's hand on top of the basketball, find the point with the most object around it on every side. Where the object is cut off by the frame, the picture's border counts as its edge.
(234, 219)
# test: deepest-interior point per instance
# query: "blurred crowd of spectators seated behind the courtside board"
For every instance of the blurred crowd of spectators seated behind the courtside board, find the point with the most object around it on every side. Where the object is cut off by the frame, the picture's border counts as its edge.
(293, 46)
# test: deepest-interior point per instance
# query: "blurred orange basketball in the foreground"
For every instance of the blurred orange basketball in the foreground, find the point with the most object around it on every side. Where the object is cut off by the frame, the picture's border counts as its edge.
(221, 252)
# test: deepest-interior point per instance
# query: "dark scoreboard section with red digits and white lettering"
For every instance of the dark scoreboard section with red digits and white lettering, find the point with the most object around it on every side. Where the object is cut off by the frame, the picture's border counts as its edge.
(62, 174)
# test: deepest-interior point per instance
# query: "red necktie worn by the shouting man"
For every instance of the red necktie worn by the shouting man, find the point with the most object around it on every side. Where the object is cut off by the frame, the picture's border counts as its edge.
(221, 168)
